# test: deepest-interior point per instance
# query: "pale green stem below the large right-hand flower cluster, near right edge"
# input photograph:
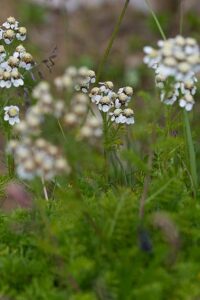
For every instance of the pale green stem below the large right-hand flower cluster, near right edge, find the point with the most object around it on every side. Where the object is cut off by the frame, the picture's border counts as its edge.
(191, 153)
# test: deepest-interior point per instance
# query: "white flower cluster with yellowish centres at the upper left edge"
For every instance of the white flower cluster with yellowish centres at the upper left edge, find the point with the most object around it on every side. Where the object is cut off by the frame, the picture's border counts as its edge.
(13, 64)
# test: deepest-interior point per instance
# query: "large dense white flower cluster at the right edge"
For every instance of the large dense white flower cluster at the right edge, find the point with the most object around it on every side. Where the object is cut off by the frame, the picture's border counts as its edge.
(175, 62)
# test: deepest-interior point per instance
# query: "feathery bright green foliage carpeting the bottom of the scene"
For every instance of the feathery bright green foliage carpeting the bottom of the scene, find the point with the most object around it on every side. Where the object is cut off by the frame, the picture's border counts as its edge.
(93, 247)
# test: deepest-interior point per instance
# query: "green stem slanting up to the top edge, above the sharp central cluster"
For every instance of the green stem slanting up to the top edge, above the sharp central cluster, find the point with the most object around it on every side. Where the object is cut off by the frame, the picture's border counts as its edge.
(112, 39)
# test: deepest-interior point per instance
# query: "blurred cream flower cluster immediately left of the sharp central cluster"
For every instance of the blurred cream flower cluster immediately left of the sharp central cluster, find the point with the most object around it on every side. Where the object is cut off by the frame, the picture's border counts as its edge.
(78, 82)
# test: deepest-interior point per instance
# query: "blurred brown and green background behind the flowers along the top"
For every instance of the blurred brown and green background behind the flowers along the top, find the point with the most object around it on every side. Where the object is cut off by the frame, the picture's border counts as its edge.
(77, 32)
